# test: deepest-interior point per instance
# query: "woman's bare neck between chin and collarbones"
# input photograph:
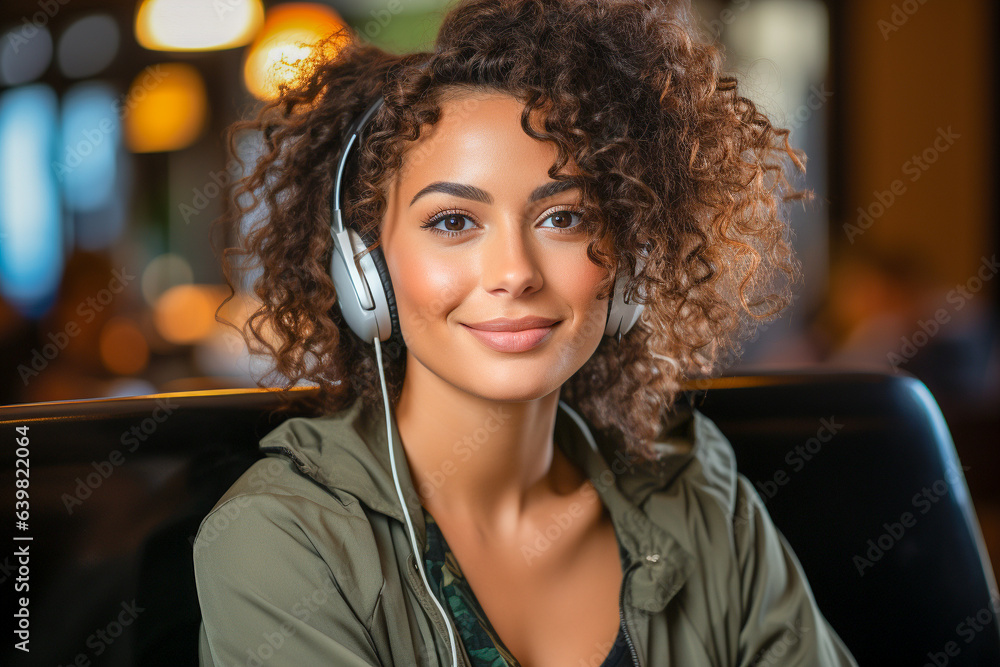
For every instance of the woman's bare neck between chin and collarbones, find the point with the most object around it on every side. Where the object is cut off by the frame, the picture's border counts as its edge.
(488, 465)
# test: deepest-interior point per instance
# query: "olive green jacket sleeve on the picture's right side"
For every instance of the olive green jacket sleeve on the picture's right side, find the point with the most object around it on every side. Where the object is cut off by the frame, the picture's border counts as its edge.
(781, 623)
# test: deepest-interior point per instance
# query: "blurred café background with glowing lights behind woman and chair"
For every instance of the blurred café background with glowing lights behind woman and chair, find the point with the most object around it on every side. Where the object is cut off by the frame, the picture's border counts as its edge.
(112, 168)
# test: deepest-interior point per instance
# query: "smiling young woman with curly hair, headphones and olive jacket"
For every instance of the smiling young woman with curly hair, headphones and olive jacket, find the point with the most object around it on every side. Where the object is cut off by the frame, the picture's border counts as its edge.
(498, 262)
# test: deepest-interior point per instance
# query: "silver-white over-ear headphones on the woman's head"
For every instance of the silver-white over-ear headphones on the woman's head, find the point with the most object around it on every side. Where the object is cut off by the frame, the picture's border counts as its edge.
(364, 290)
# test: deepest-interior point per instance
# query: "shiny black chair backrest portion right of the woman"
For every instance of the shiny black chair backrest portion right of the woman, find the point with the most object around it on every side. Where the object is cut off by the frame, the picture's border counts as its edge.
(860, 474)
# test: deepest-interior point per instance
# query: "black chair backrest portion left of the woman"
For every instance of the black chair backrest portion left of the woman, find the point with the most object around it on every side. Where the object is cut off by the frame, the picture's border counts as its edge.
(118, 488)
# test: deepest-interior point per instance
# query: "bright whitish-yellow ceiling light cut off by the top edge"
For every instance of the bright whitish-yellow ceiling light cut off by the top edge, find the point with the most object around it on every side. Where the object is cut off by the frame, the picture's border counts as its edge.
(197, 25)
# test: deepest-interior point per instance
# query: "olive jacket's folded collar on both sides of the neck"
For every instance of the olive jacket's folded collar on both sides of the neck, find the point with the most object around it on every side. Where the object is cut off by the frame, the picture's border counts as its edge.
(347, 452)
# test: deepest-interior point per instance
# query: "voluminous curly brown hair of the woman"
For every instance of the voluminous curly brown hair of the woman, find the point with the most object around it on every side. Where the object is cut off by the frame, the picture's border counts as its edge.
(668, 155)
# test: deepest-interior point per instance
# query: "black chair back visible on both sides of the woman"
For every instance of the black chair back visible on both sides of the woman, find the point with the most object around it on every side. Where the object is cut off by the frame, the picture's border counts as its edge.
(858, 471)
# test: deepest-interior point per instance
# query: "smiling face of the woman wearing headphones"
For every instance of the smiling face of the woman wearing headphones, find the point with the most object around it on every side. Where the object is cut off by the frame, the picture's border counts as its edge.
(472, 233)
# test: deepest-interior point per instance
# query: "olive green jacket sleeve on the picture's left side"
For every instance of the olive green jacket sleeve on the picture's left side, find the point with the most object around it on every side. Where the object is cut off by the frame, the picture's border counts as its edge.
(266, 596)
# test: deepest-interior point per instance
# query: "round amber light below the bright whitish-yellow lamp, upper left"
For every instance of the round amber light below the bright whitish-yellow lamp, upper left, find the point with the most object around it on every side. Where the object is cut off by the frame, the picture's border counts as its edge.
(166, 108)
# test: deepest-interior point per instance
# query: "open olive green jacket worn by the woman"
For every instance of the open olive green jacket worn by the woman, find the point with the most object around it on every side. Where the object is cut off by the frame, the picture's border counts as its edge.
(306, 560)
